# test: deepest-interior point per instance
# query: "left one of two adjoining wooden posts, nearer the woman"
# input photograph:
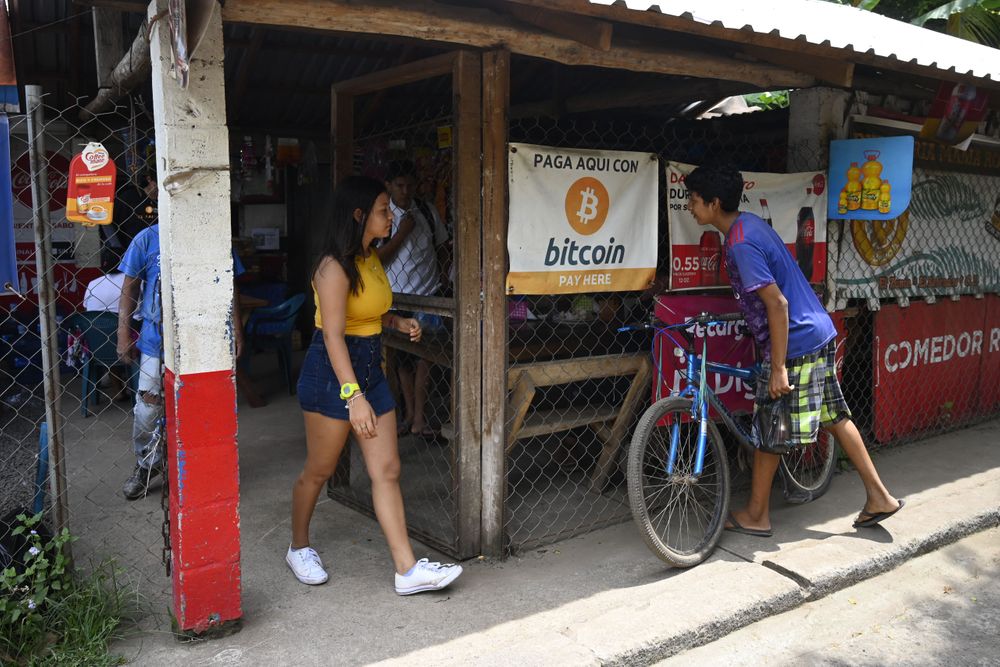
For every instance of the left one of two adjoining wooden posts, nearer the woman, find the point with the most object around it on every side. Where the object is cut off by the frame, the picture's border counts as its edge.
(466, 395)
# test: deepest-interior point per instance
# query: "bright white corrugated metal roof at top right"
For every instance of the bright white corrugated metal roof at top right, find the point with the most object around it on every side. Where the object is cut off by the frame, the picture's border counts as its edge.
(836, 26)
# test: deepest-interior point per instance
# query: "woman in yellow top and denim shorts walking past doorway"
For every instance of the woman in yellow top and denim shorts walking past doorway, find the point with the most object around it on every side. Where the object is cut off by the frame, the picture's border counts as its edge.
(342, 387)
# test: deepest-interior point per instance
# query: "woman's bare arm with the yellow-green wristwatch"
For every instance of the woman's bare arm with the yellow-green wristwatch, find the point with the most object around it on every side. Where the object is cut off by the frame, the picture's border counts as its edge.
(332, 286)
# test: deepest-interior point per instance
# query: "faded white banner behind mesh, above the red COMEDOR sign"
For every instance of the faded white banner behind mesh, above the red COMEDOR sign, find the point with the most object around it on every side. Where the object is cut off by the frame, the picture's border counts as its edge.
(946, 243)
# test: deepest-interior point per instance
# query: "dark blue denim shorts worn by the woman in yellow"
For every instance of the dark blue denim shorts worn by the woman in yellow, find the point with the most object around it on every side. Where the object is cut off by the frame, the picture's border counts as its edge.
(319, 388)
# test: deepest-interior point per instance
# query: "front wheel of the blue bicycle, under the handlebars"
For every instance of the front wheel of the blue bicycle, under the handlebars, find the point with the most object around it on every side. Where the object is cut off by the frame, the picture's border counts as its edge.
(680, 516)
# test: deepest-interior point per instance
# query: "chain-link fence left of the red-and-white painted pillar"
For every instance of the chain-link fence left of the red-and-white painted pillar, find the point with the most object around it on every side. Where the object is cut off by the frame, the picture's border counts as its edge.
(94, 393)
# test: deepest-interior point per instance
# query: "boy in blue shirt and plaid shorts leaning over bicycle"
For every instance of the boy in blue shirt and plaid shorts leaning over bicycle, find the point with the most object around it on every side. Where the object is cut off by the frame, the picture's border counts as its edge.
(796, 341)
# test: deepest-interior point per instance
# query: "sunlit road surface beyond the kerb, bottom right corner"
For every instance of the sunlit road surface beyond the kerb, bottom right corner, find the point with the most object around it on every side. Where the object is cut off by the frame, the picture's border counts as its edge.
(942, 608)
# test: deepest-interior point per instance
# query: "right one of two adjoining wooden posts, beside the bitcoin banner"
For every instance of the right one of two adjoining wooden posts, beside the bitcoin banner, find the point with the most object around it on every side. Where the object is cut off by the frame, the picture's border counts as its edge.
(496, 103)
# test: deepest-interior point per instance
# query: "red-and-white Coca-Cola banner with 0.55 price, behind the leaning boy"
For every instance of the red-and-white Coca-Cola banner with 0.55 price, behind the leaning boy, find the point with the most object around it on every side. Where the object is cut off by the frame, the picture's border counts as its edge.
(793, 204)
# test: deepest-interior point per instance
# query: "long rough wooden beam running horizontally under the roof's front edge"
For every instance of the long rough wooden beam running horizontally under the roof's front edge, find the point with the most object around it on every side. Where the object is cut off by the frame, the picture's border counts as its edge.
(432, 21)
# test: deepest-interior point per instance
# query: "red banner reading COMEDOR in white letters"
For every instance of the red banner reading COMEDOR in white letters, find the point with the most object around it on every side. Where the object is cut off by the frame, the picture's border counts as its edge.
(932, 363)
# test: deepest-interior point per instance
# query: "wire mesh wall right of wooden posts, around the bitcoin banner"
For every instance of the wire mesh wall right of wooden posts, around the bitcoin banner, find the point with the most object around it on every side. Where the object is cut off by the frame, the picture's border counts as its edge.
(558, 431)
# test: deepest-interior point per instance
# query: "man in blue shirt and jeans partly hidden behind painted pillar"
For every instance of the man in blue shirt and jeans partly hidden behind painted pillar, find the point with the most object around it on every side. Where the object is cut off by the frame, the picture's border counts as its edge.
(141, 266)
